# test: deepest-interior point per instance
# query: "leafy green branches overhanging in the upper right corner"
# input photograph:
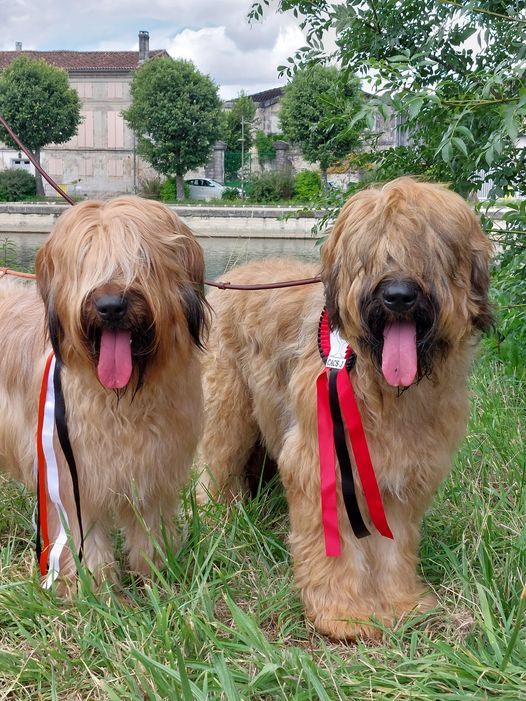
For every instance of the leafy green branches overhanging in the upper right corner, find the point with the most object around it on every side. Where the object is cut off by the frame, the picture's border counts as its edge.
(453, 71)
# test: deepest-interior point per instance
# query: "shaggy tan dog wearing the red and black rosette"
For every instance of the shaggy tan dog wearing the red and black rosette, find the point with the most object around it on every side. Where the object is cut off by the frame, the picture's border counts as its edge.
(405, 273)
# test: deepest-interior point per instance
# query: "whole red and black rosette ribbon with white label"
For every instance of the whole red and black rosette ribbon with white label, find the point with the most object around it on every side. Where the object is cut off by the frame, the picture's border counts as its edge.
(338, 411)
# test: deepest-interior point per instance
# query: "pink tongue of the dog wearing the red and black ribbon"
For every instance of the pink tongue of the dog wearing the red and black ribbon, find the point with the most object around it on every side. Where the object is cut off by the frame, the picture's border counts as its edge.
(399, 364)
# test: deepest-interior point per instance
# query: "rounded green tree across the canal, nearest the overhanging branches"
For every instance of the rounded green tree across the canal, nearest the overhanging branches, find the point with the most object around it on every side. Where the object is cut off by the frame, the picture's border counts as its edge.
(312, 110)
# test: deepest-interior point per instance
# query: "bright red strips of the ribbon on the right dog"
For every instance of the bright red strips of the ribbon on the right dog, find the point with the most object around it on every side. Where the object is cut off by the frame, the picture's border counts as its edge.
(353, 422)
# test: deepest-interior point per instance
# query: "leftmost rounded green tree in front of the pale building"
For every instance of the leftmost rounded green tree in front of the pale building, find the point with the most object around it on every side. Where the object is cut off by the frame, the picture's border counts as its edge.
(38, 104)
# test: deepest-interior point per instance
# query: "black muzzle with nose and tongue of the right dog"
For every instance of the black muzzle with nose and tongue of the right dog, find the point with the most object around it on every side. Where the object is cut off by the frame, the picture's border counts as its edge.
(400, 319)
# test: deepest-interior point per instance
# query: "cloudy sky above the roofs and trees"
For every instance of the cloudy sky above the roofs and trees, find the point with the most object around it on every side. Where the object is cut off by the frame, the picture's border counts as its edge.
(214, 34)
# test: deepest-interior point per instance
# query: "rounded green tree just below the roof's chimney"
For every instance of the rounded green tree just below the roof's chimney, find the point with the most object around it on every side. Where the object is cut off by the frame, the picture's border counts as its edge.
(176, 114)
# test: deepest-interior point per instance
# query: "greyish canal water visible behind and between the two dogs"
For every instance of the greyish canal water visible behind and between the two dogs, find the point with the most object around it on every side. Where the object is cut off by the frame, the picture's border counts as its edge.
(221, 254)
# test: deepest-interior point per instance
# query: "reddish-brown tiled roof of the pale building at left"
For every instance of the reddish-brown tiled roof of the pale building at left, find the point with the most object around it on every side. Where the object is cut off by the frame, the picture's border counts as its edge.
(91, 61)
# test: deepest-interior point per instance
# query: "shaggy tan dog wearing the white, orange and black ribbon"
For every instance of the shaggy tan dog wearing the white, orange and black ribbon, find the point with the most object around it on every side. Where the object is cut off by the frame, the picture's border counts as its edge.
(121, 301)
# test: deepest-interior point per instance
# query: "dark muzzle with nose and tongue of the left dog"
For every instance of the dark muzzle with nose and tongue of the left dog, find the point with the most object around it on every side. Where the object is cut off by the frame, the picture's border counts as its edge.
(120, 339)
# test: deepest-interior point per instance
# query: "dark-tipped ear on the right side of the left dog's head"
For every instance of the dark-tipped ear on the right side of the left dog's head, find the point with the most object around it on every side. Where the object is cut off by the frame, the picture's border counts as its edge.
(196, 308)
